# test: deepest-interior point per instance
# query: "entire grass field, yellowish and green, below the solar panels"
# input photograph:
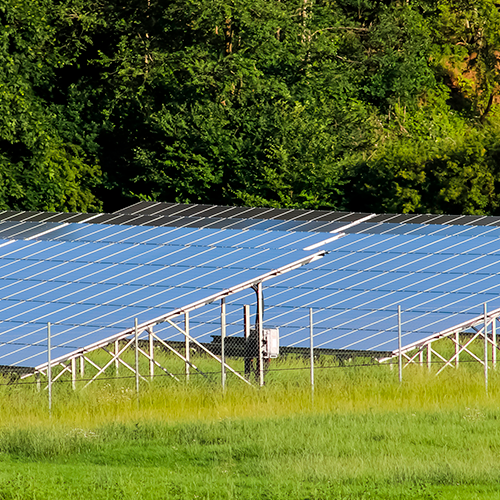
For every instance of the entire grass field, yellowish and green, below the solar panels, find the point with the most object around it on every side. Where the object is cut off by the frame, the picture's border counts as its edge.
(364, 437)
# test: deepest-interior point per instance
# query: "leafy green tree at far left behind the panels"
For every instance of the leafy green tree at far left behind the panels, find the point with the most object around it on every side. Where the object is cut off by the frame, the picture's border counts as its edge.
(41, 167)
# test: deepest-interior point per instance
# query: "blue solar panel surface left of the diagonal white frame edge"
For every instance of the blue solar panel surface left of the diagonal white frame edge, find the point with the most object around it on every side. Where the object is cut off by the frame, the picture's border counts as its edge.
(90, 280)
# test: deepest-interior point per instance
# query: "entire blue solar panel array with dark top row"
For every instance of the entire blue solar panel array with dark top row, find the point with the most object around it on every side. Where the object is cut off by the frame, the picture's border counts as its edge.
(91, 275)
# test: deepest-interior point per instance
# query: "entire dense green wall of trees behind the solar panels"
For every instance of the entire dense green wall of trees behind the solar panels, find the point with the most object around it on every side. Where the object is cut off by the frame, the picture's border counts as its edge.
(361, 105)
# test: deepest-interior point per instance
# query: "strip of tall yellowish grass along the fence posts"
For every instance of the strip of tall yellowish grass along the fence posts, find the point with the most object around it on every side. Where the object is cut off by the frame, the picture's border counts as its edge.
(369, 388)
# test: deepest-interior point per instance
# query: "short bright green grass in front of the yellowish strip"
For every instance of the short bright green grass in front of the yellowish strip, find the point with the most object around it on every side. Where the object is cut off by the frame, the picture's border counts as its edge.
(447, 454)
